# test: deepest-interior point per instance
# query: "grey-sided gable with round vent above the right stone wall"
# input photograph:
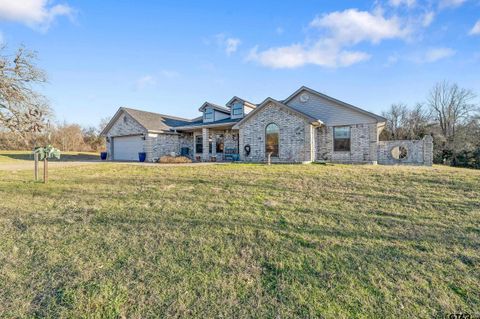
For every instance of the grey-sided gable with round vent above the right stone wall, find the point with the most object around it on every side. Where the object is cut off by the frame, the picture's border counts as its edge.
(321, 111)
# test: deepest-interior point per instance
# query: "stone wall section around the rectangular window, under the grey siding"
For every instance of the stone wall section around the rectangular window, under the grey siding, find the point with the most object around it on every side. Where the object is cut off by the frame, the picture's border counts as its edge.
(363, 145)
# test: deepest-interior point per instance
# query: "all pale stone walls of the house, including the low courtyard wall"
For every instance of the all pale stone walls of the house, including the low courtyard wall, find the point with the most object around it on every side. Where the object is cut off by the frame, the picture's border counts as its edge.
(299, 141)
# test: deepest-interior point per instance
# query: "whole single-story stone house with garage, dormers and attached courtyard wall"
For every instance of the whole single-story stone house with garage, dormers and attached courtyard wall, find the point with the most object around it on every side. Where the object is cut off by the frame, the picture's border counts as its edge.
(305, 127)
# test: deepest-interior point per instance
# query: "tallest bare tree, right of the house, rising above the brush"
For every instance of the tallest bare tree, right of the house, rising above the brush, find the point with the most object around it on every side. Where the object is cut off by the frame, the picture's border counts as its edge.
(450, 106)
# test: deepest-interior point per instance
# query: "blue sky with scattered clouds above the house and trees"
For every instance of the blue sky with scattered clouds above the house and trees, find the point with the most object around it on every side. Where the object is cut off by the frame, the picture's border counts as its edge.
(171, 56)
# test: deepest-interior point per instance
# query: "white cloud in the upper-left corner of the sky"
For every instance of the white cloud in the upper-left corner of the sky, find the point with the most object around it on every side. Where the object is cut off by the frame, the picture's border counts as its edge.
(37, 14)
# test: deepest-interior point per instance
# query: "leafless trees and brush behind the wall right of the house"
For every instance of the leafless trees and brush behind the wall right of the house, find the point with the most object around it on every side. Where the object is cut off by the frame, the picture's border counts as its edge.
(450, 115)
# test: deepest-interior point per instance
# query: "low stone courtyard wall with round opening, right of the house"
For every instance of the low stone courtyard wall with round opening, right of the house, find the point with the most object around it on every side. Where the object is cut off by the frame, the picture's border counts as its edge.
(418, 152)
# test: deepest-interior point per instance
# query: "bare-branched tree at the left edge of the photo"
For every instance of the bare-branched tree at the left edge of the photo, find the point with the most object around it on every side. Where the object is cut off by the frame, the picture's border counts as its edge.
(22, 109)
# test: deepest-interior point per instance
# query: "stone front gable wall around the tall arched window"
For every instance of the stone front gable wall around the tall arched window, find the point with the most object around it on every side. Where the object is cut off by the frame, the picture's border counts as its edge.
(295, 141)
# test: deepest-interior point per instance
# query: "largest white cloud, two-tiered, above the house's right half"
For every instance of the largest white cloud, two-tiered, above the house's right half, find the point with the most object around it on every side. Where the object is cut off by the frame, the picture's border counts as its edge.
(341, 30)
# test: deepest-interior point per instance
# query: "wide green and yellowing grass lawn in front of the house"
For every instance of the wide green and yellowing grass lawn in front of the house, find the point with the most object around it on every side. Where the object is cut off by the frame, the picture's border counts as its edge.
(237, 240)
